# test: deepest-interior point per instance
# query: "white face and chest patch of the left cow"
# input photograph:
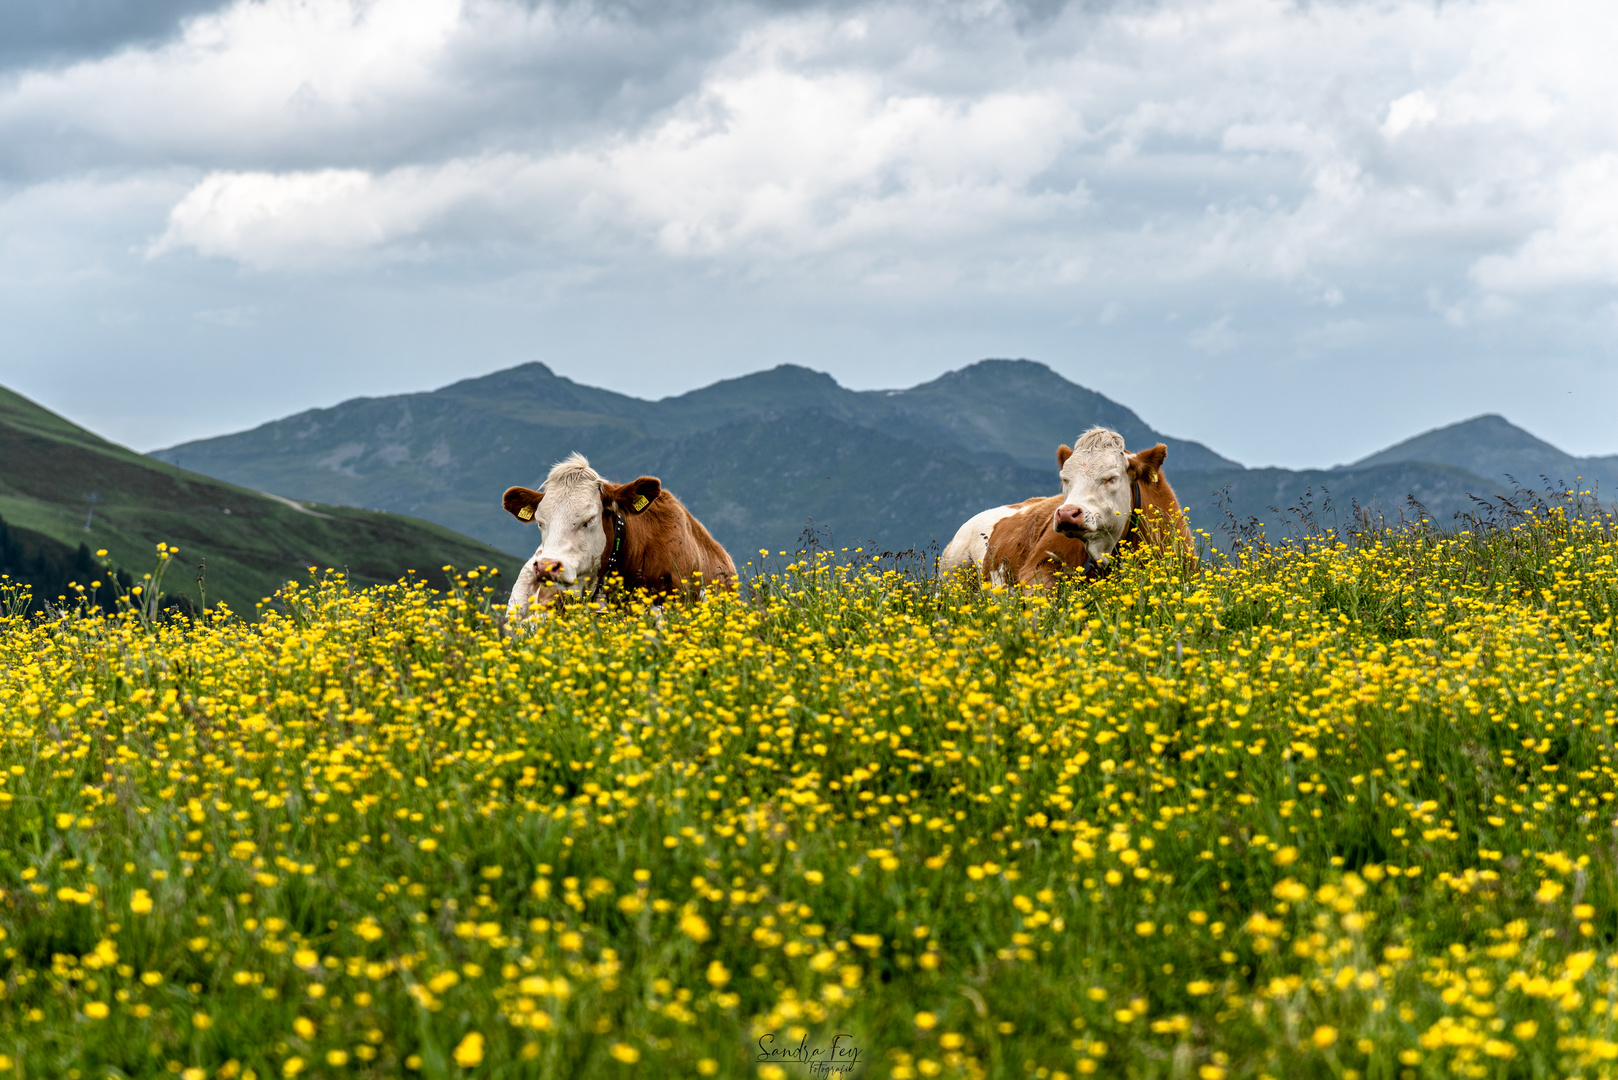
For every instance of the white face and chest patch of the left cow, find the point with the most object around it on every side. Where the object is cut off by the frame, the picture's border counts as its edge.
(574, 538)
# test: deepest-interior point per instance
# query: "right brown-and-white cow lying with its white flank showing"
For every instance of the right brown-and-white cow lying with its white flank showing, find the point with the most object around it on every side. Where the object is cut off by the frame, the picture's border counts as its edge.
(1109, 498)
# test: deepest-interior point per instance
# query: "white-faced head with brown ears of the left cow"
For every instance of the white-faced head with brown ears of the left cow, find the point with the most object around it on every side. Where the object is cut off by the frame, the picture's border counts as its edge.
(574, 514)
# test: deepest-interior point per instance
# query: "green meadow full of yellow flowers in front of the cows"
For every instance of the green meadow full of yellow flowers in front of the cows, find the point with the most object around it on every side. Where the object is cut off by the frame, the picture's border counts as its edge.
(1342, 812)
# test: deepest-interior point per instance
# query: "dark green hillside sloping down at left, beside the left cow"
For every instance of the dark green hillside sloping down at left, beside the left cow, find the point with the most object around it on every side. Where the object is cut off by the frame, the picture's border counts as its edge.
(253, 543)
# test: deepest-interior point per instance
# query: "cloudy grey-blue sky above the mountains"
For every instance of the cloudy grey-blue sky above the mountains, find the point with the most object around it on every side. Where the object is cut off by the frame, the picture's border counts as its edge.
(1294, 231)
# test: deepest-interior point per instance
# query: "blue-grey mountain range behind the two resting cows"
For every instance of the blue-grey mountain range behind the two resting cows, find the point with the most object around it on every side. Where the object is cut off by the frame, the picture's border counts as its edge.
(765, 457)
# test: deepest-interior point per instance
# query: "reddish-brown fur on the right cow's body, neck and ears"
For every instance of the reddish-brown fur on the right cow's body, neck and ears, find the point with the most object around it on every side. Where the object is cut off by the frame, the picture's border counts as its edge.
(1030, 550)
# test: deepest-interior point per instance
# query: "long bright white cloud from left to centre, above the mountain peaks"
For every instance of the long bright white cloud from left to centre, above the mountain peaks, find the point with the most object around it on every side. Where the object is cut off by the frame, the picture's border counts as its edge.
(768, 166)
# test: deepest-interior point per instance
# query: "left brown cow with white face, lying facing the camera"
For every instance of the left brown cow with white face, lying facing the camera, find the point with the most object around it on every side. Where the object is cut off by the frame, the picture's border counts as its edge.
(593, 530)
